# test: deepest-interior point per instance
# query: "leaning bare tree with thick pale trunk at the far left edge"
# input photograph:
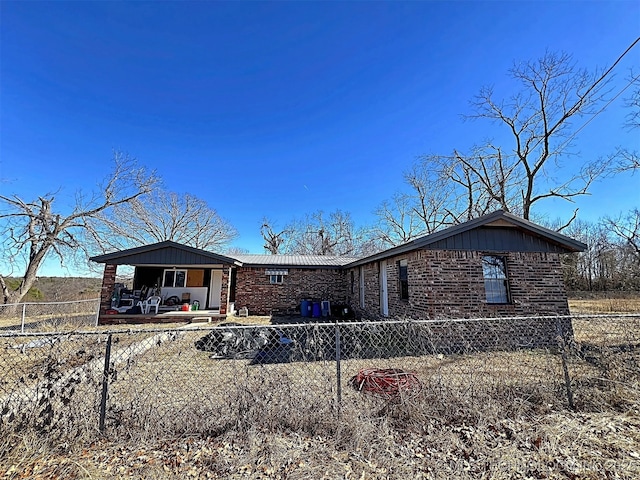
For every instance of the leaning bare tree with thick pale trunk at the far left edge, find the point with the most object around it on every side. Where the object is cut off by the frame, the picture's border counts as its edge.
(33, 230)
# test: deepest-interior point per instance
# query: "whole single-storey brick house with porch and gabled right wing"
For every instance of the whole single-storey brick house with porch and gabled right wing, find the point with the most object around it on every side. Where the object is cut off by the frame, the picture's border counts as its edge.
(495, 265)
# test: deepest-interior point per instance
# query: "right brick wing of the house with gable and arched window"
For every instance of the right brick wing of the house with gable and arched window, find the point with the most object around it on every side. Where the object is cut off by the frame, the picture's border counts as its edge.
(495, 265)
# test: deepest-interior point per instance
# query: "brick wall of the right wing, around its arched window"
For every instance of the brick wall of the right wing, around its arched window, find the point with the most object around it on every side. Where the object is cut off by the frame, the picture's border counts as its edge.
(450, 284)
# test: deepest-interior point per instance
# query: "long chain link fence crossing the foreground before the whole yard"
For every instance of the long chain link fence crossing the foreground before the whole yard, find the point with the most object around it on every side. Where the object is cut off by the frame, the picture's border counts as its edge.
(196, 380)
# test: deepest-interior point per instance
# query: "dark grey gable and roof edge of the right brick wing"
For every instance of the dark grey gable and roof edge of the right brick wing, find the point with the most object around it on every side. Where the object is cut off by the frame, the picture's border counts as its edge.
(498, 231)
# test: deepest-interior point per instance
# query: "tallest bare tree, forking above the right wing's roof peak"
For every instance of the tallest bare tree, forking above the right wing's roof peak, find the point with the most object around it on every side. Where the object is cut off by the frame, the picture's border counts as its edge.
(538, 119)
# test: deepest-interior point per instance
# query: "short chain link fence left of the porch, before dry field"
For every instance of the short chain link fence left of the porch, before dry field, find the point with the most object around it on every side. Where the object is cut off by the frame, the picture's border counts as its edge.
(53, 316)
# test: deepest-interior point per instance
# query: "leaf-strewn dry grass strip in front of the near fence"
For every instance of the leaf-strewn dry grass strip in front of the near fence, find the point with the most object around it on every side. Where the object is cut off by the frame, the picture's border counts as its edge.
(555, 446)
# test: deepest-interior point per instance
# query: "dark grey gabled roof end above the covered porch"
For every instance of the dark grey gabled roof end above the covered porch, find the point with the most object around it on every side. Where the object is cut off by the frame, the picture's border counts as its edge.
(163, 253)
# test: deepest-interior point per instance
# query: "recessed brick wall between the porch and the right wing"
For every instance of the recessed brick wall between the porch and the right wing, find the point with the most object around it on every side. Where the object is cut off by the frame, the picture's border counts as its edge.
(254, 291)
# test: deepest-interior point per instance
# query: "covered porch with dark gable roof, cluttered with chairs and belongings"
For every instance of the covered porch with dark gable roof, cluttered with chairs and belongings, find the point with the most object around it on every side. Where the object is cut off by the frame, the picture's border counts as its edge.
(183, 281)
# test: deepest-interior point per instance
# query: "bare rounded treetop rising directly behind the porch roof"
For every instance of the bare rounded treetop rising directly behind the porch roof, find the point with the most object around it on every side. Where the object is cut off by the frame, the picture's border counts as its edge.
(161, 216)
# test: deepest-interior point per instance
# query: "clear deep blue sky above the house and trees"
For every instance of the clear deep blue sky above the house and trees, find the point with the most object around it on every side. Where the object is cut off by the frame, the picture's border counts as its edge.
(280, 109)
